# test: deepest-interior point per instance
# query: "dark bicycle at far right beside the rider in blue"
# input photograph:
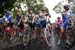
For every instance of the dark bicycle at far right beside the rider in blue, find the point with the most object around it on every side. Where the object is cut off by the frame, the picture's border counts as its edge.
(69, 35)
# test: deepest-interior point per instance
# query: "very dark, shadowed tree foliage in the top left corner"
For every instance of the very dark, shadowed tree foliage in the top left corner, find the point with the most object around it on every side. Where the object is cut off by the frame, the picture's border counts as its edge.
(5, 5)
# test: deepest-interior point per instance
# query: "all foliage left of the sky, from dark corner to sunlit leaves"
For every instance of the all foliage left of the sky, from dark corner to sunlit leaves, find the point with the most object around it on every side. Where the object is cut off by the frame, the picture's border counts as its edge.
(9, 4)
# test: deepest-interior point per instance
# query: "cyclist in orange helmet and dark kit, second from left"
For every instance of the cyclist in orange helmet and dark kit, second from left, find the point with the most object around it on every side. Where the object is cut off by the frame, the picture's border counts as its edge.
(19, 21)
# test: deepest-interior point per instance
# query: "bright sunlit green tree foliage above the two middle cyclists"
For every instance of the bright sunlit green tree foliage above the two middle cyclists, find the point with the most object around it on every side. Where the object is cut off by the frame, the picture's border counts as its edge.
(36, 5)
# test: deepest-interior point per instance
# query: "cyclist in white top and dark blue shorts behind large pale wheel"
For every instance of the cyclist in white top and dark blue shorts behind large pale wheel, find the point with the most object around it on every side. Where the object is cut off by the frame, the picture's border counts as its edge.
(42, 16)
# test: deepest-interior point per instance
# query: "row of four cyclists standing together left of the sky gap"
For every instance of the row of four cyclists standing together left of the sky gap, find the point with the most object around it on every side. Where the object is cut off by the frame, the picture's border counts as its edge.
(30, 19)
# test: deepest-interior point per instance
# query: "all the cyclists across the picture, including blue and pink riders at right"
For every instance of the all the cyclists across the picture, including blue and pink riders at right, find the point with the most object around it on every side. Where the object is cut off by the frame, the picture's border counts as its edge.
(32, 20)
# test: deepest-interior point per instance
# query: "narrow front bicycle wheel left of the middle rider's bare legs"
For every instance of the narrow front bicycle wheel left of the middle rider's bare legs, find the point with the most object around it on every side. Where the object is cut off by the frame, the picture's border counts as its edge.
(26, 35)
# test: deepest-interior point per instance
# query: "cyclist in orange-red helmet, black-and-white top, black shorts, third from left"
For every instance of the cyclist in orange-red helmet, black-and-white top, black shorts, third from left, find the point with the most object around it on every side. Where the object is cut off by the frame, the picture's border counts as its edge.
(31, 22)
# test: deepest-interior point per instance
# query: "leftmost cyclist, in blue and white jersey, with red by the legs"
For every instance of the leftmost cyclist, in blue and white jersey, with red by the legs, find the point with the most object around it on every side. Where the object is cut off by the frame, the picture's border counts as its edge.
(7, 19)
